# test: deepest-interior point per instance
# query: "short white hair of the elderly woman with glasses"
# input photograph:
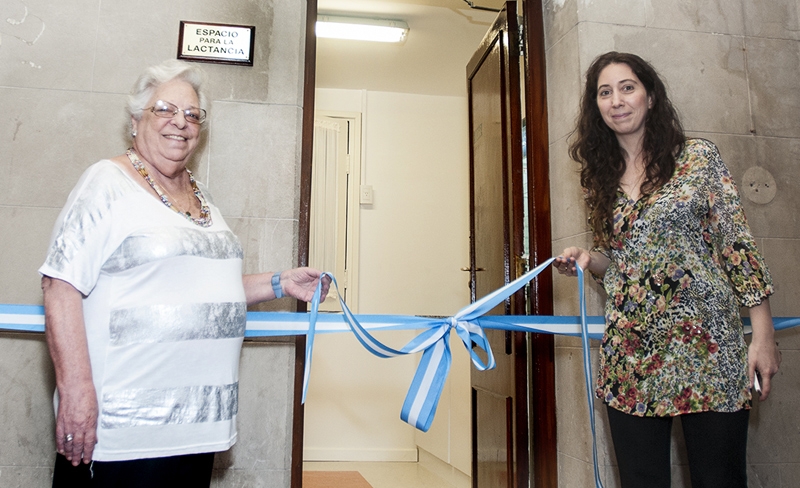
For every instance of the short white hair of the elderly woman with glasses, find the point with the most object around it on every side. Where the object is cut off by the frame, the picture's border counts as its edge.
(159, 74)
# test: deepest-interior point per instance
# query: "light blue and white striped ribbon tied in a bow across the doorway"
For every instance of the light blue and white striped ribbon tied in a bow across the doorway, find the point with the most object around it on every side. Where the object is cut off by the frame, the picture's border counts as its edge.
(426, 387)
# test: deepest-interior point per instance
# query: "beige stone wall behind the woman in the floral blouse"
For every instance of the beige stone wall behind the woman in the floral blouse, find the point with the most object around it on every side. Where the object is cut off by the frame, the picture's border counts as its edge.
(731, 69)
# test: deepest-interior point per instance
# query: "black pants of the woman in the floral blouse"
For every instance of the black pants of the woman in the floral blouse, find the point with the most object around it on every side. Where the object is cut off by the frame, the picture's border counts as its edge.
(716, 444)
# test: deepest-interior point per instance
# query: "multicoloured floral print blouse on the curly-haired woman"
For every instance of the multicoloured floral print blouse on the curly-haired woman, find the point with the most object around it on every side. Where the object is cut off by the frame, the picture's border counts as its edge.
(682, 263)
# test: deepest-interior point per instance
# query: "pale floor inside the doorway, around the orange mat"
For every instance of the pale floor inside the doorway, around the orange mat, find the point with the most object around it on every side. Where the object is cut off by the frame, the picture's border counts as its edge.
(386, 475)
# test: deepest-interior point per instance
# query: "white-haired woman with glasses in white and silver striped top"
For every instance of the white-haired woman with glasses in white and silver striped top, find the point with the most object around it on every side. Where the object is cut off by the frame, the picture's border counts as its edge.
(145, 304)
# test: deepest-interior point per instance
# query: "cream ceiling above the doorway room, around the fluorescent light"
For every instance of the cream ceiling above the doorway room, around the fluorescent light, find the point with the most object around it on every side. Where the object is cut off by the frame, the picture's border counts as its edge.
(443, 35)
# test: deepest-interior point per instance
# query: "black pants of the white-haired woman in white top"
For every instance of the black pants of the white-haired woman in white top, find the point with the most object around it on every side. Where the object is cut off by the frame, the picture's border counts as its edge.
(193, 470)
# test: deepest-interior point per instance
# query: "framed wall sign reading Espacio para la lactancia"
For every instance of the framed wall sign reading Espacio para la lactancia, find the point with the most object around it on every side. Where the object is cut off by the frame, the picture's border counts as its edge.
(216, 43)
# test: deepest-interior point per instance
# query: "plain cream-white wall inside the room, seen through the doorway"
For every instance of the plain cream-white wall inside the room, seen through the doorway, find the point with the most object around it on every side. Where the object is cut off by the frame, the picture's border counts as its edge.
(413, 241)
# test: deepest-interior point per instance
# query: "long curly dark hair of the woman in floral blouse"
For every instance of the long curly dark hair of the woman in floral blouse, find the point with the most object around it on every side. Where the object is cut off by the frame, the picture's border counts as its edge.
(601, 158)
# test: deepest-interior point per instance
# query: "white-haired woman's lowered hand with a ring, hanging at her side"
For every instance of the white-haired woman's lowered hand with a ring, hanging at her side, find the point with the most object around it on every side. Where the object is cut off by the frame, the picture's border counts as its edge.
(76, 422)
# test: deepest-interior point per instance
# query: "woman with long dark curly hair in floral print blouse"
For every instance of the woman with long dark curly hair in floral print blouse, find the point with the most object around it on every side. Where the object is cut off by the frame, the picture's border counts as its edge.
(675, 255)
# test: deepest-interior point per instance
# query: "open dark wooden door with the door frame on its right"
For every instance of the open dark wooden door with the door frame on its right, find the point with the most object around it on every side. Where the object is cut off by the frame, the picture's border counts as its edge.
(514, 423)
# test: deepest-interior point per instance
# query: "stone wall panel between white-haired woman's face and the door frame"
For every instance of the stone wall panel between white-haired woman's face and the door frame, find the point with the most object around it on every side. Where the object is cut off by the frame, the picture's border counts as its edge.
(253, 157)
